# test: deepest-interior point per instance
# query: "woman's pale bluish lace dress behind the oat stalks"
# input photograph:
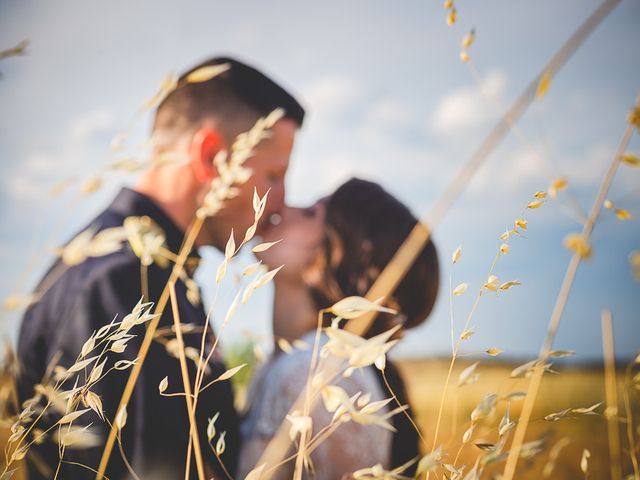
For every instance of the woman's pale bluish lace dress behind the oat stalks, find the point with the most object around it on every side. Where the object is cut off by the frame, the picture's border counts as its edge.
(273, 391)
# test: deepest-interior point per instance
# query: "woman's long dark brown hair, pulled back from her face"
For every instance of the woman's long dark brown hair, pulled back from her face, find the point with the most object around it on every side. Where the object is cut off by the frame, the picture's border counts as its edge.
(365, 228)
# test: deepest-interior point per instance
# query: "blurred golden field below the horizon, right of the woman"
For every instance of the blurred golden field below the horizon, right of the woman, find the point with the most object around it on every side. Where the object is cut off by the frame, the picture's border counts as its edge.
(572, 387)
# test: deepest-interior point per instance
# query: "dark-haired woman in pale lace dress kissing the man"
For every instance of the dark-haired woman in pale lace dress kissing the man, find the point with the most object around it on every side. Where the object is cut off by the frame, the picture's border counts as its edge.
(332, 250)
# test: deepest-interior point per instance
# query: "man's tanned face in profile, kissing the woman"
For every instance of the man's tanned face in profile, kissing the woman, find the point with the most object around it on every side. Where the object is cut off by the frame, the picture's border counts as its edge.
(269, 165)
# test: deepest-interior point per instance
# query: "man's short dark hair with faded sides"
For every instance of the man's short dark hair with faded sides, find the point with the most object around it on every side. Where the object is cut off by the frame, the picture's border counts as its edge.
(233, 99)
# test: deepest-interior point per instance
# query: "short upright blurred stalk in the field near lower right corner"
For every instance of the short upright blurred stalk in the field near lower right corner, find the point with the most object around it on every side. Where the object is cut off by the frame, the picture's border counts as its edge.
(611, 412)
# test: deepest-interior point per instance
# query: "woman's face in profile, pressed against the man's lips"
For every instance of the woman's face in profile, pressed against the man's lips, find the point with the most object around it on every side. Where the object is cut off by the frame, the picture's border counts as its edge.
(301, 231)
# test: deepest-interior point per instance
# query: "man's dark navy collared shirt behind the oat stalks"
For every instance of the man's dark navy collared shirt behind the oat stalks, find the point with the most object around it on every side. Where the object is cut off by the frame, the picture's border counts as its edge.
(83, 299)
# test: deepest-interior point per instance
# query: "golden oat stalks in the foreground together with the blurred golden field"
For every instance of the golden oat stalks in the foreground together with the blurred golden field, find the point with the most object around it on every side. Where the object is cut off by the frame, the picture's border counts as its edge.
(559, 427)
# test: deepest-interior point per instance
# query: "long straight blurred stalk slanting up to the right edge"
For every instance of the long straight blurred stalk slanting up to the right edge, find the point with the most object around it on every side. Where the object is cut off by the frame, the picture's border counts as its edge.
(558, 309)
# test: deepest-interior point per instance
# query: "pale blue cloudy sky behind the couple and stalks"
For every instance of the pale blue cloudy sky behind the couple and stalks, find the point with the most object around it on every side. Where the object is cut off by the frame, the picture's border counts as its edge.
(388, 100)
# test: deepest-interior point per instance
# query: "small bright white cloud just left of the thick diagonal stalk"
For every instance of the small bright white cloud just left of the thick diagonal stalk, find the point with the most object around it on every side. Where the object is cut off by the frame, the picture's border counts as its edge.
(466, 108)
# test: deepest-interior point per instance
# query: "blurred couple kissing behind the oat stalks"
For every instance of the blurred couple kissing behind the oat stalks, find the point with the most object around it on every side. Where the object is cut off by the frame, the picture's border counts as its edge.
(331, 250)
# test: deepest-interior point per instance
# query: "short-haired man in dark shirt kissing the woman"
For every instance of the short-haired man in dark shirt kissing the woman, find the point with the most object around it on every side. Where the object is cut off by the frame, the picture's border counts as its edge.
(194, 121)
